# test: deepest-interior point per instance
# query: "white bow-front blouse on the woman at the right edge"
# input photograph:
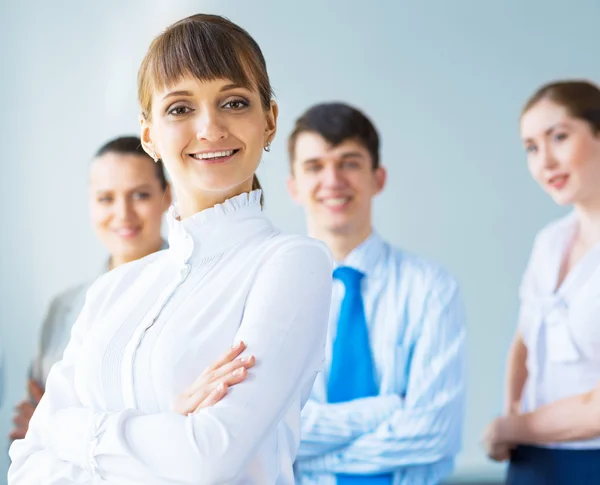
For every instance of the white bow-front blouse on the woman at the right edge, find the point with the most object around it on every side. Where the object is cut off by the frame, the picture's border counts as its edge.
(560, 326)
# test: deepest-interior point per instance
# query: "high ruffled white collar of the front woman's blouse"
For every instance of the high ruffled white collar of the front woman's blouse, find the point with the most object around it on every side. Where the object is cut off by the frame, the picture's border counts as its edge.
(212, 230)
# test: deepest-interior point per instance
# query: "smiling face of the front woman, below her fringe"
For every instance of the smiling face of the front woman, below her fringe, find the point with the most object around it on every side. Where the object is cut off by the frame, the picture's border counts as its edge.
(211, 137)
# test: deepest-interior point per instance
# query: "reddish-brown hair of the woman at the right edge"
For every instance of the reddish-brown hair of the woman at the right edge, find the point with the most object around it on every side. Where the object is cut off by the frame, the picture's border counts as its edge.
(581, 99)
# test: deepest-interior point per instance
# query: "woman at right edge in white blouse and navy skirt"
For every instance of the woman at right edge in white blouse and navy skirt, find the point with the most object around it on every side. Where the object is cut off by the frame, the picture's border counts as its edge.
(550, 431)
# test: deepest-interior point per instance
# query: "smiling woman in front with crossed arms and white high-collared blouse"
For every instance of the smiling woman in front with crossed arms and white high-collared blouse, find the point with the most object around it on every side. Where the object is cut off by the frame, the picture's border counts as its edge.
(137, 398)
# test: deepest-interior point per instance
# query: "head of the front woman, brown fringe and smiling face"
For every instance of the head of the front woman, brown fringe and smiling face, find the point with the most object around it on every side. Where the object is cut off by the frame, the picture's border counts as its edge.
(207, 113)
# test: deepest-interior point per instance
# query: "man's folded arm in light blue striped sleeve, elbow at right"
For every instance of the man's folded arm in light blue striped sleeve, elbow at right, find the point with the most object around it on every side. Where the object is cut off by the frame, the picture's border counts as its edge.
(381, 434)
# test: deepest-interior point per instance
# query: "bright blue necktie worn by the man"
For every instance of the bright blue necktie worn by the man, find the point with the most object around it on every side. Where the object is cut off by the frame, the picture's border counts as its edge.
(352, 375)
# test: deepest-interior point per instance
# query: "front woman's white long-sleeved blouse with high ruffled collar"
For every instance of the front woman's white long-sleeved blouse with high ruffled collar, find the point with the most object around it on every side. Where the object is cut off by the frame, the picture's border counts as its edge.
(148, 330)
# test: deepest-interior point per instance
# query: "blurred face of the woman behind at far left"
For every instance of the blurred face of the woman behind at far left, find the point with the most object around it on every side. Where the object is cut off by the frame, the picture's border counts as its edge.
(127, 204)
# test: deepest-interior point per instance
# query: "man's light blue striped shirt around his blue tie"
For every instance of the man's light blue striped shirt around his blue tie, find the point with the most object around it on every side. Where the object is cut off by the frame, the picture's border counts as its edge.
(416, 326)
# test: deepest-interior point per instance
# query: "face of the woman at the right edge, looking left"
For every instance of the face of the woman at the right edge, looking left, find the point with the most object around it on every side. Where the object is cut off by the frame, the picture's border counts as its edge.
(563, 153)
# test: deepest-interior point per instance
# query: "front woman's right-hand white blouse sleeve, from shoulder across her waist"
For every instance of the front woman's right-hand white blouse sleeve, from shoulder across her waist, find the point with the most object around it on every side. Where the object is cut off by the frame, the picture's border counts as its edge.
(284, 324)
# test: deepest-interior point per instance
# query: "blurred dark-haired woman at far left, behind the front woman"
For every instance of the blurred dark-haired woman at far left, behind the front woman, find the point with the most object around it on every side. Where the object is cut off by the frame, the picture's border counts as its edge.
(128, 196)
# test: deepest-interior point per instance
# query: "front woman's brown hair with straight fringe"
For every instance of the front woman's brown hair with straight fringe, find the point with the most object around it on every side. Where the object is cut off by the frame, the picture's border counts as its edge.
(206, 47)
